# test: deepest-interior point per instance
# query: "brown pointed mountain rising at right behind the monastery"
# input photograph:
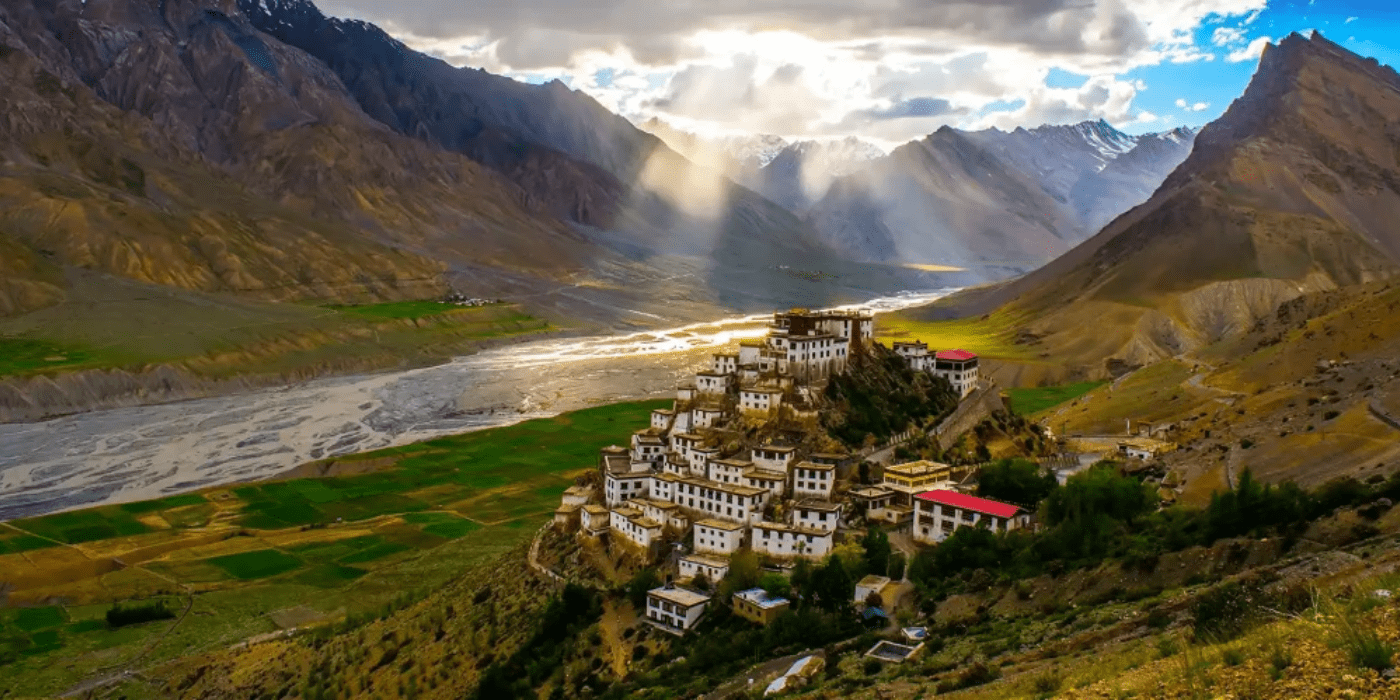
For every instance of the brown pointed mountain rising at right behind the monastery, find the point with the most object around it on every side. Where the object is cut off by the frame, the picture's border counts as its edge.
(1291, 191)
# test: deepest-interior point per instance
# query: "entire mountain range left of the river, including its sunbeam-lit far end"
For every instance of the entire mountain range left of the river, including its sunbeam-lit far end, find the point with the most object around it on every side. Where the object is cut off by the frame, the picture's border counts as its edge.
(265, 150)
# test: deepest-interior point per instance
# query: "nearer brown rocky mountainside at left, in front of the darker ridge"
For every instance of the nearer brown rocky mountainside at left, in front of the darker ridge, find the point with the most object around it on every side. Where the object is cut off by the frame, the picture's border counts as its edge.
(173, 145)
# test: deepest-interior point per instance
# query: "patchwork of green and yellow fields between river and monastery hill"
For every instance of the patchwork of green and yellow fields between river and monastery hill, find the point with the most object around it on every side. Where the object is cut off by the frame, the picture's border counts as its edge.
(268, 556)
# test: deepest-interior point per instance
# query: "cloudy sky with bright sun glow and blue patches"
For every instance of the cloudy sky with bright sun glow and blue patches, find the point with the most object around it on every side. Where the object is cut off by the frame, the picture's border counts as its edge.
(884, 71)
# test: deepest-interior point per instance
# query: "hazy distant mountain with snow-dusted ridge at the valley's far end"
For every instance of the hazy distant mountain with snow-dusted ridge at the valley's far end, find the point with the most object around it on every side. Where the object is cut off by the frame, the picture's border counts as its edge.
(1014, 198)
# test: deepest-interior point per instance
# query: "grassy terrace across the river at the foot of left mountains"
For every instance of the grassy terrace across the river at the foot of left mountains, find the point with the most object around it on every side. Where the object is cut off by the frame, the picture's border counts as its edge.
(114, 324)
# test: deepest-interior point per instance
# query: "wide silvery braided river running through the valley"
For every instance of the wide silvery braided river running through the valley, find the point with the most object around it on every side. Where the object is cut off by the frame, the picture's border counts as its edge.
(143, 453)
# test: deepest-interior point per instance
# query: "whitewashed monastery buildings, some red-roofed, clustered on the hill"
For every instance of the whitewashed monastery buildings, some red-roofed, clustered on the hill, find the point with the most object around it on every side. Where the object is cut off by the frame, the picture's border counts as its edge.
(675, 482)
